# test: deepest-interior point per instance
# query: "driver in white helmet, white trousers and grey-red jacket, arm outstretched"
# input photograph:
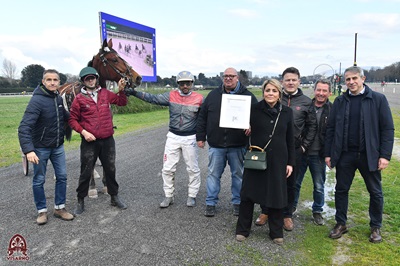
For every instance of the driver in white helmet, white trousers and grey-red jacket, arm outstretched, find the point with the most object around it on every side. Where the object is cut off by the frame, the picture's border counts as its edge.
(184, 105)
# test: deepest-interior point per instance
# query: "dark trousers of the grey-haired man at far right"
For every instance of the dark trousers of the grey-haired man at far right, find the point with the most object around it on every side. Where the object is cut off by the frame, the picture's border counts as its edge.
(346, 167)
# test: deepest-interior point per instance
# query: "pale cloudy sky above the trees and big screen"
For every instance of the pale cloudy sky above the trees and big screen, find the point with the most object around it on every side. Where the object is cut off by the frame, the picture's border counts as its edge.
(208, 36)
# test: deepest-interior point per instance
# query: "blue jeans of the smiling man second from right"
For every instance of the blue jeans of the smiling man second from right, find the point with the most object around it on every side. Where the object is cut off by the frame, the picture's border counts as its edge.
(318, 173)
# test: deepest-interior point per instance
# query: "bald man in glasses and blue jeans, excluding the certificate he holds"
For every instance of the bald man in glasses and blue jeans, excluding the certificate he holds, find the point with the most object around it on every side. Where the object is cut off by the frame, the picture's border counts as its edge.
(225, 144)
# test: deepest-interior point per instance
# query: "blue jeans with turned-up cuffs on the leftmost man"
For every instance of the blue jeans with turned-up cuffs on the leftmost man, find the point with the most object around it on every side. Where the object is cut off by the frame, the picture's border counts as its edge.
(57, 158)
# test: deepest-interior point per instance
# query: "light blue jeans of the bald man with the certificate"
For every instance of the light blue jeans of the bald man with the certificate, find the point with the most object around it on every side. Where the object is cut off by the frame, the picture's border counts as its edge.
(217, 158)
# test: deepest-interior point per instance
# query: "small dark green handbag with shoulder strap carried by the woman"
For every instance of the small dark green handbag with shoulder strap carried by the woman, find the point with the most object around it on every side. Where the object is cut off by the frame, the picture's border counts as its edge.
(257, 159)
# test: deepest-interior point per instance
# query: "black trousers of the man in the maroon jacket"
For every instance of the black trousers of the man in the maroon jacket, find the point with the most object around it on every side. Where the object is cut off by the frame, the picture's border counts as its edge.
(105, 150)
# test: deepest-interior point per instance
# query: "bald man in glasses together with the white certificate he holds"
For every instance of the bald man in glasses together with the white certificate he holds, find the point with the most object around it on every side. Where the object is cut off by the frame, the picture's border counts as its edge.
(222, 123)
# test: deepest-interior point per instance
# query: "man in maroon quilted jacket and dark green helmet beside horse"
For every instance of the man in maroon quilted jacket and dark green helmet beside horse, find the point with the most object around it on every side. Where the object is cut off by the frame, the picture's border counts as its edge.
(91, 116)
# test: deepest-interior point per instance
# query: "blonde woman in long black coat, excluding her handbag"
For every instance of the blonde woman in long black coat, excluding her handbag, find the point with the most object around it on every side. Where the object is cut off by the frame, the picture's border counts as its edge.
(268, 187)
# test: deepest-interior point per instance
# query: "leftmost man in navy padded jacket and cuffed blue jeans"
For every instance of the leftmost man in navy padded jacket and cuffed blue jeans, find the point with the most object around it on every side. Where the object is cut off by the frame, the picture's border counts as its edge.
(41, 136)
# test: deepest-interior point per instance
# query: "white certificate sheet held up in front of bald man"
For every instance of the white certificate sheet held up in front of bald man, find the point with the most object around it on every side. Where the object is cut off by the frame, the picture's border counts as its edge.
(235, 111)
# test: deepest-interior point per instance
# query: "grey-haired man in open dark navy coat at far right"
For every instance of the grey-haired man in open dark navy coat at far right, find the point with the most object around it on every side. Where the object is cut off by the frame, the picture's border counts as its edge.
(359, 135)
